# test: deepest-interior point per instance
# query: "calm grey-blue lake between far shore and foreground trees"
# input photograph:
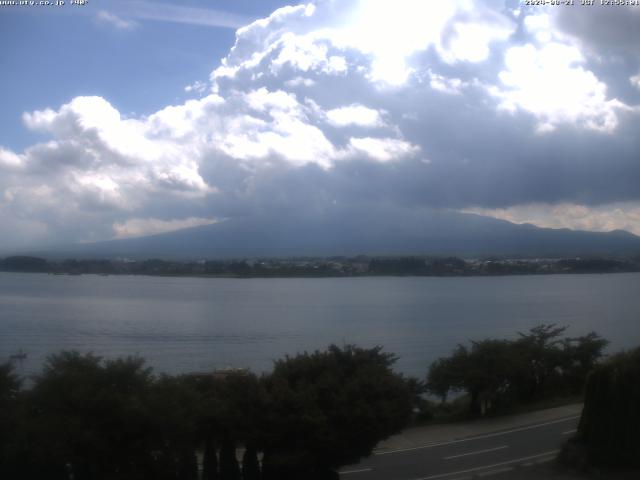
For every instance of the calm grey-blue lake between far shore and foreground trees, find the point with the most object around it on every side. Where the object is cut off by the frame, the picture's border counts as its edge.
(198, 324)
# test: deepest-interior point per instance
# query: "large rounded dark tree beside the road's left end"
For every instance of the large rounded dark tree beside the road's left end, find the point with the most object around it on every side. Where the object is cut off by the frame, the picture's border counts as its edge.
(327, 409)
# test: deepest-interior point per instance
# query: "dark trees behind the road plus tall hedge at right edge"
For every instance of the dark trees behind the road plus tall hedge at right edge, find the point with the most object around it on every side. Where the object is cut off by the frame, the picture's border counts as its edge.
(495, 376)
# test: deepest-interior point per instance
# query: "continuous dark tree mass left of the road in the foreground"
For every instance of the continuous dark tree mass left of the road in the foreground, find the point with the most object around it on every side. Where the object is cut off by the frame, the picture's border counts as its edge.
(88, 418)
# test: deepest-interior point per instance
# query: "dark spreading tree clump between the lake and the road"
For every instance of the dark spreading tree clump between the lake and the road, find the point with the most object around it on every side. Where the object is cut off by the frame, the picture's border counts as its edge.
(496, 375)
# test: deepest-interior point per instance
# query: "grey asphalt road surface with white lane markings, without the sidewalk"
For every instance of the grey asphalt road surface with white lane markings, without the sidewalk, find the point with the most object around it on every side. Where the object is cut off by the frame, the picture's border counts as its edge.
(465, 458)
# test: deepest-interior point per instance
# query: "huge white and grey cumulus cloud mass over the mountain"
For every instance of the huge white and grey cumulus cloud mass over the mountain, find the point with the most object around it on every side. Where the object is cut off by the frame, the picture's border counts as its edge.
(327, 105)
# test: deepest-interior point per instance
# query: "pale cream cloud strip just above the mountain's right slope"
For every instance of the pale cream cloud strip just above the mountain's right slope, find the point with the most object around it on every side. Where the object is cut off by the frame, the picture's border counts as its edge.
(602, 218)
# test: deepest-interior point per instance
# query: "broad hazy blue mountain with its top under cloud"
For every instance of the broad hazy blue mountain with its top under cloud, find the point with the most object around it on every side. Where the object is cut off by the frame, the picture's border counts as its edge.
(426, 232)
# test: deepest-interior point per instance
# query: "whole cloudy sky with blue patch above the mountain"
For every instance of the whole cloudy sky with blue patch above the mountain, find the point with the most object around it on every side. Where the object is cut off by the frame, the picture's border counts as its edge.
(127, 118)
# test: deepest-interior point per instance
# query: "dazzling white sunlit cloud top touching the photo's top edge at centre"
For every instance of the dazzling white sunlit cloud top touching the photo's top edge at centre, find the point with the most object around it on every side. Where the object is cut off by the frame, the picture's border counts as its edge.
(389, 34)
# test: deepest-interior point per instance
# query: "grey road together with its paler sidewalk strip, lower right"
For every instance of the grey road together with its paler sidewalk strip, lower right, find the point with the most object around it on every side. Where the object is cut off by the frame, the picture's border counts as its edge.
(518, 440)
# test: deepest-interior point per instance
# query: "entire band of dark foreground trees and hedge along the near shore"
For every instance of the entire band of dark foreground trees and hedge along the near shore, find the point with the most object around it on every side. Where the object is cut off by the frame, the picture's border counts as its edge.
(89, 418)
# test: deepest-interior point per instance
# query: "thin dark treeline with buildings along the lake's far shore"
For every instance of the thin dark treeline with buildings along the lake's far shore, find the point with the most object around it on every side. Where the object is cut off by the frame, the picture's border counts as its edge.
(325, 267)
